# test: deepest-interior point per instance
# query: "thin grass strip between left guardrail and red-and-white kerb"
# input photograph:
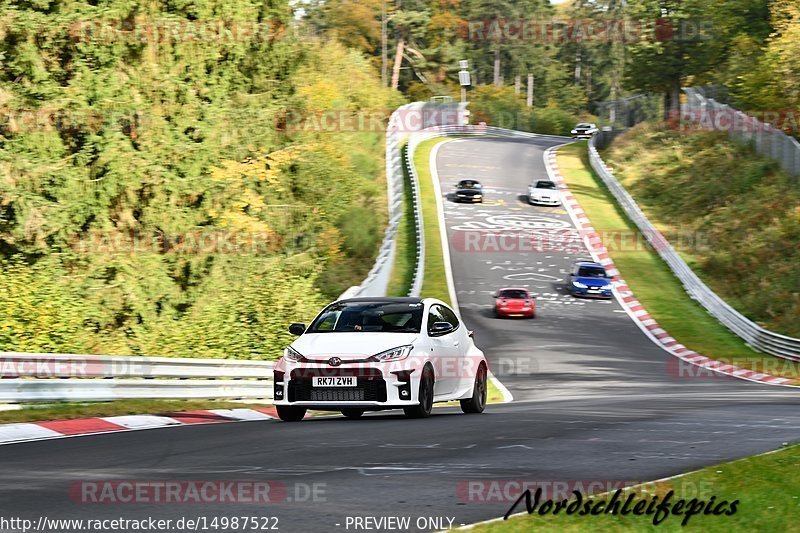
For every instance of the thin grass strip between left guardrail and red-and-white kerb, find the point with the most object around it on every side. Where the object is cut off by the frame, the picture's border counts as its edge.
(69, 411)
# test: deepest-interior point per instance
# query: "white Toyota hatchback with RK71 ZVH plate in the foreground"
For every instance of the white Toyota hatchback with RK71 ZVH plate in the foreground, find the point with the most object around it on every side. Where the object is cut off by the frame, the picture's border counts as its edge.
(369, 354)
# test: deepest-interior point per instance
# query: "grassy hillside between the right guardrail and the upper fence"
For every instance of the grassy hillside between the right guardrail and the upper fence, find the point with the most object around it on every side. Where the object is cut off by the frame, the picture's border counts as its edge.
(735, 215)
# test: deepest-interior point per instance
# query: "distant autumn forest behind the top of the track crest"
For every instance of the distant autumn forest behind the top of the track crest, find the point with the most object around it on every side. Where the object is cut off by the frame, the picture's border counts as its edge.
(578, 53)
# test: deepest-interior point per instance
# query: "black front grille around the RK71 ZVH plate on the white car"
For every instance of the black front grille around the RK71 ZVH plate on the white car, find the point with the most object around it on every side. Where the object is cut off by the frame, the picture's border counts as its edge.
(370, 386)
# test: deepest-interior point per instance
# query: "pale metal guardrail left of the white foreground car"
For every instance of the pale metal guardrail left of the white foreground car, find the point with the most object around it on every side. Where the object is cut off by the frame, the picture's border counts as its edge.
(26, 377)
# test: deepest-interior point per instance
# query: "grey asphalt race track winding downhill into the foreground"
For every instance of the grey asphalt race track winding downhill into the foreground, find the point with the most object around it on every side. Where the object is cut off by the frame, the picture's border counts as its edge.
(594, 400)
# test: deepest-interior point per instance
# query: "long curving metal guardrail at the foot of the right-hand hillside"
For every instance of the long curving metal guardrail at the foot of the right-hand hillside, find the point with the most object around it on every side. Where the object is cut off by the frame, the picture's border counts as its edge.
(753, 334)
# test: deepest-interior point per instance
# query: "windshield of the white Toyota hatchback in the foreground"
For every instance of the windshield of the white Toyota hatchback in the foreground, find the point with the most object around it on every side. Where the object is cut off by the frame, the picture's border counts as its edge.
(369, 317)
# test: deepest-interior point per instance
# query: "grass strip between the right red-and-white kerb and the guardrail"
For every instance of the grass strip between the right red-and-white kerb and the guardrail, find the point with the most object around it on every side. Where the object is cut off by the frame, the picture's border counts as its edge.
(653, 283)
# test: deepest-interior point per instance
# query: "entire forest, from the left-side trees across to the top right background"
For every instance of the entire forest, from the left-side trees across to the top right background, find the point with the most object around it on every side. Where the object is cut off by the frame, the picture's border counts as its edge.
(155, 197)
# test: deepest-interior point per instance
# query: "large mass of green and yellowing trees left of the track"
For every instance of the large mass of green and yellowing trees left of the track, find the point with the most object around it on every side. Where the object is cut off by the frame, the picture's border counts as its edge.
(153, 198)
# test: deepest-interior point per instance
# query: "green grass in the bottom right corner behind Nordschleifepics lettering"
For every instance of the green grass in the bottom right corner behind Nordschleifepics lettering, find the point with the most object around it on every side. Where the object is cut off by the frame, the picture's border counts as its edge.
(765, 485)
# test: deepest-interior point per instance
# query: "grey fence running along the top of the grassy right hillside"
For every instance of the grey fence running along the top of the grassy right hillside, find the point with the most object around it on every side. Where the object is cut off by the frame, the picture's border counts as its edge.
(768, 140)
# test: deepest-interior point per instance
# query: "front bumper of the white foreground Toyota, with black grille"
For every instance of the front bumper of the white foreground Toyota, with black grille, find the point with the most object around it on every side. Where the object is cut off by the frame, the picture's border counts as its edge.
(378, 386)
